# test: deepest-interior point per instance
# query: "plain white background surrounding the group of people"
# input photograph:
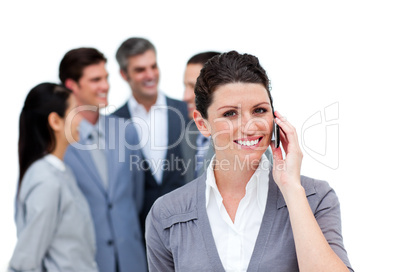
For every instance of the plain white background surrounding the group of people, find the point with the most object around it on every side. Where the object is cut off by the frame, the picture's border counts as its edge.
(316, 54)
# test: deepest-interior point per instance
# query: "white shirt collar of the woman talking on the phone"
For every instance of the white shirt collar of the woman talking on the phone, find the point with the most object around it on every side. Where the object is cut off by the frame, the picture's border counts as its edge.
(258, 181)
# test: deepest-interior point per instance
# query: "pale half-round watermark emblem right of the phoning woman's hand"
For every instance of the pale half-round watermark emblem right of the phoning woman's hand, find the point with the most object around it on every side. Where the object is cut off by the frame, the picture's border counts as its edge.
(320, 136)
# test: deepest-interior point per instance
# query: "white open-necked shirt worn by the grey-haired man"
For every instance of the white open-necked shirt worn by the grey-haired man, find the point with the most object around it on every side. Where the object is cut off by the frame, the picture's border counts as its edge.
(152, 128)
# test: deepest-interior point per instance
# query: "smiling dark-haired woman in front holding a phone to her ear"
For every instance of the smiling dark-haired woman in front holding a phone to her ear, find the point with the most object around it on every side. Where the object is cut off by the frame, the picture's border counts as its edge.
(245, 214)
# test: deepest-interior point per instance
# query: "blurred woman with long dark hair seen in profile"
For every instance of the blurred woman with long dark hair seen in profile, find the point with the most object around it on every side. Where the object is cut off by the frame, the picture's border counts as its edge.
(54, 225)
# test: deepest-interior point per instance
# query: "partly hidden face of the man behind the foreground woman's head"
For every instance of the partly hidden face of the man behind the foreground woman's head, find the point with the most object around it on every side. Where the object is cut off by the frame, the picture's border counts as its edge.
(190, 78)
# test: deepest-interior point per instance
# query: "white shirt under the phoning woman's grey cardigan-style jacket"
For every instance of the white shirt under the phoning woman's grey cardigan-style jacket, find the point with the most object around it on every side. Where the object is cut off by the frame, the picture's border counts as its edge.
(235, 241)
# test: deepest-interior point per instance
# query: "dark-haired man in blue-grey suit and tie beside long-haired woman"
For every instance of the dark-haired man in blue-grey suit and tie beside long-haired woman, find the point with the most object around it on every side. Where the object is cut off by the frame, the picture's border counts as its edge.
(101, 163)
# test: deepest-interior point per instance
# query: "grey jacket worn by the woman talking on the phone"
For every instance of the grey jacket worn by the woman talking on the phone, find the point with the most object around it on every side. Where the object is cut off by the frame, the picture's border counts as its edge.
(179, 236)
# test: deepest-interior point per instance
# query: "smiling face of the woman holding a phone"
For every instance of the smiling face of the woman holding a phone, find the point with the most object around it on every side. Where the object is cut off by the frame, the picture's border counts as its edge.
(240, 121)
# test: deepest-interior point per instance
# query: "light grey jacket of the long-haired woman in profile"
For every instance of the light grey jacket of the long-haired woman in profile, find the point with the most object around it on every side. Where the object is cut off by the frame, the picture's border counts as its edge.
(54, 226)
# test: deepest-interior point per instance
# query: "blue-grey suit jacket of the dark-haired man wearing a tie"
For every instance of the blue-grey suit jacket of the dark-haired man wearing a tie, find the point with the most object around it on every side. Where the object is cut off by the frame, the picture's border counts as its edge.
(114, 209)
